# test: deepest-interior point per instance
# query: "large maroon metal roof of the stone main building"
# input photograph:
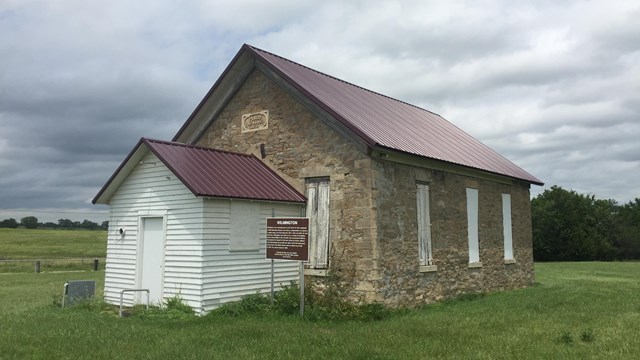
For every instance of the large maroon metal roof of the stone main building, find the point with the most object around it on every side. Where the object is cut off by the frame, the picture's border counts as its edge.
(380, 121)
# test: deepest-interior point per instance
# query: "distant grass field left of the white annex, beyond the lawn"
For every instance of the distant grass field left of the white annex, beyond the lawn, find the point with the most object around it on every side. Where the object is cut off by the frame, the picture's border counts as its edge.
(54, 248)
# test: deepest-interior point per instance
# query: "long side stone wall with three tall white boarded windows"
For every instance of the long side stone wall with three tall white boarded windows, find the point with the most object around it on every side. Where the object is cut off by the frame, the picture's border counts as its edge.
(401, 282)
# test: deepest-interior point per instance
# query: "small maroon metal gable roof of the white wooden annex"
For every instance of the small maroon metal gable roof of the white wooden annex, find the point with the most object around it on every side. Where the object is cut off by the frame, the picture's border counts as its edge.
(208, 173)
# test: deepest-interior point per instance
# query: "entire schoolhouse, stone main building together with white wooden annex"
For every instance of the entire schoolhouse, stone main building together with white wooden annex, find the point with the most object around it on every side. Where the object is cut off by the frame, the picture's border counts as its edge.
(405, 208)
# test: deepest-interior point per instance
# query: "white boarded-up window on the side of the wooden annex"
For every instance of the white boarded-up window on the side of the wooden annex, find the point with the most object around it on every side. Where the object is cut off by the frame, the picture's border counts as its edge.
(244, 231)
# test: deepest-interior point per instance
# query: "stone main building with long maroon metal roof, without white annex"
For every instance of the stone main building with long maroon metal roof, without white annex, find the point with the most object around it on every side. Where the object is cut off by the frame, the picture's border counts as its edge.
(405, 207)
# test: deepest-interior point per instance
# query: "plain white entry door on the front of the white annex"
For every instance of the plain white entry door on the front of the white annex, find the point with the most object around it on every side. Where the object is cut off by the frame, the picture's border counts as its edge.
(151, 259)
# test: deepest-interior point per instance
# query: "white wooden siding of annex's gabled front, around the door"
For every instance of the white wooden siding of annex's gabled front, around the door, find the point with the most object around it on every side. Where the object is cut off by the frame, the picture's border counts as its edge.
(151, 188)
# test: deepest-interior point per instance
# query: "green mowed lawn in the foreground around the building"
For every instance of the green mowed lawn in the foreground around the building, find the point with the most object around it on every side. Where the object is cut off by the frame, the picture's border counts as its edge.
(576, 311)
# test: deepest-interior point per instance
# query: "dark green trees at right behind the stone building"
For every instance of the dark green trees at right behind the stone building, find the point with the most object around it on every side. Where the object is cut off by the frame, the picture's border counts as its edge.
(568, 226)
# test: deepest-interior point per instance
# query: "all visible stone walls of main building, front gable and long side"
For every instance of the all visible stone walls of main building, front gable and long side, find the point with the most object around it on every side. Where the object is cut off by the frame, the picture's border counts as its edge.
(373, 229)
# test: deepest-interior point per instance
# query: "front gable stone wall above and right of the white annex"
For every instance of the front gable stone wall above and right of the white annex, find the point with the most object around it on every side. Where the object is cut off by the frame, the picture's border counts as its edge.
(298, 145)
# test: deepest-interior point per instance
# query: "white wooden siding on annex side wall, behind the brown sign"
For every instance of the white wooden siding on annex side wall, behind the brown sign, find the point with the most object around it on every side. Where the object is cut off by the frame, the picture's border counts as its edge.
(229, 275)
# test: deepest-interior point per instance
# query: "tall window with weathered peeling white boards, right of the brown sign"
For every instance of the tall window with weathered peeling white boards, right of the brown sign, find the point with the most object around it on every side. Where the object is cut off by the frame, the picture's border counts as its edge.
(318, 214)
